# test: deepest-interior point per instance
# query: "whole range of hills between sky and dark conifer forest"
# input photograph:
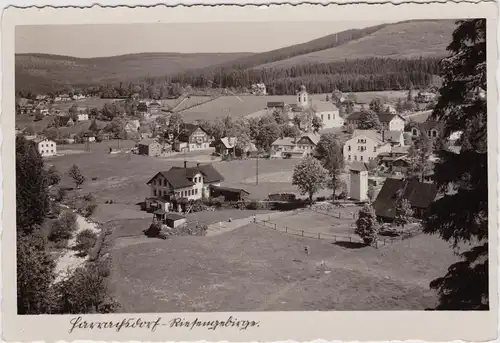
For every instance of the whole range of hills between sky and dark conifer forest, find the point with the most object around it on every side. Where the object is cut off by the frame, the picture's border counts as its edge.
(403, 40)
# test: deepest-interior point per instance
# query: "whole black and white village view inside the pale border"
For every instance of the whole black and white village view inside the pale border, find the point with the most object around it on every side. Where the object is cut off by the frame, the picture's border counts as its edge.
(253, 166)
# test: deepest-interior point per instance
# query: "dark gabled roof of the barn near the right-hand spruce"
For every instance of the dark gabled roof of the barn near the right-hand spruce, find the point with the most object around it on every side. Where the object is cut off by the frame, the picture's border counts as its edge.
(420, 195)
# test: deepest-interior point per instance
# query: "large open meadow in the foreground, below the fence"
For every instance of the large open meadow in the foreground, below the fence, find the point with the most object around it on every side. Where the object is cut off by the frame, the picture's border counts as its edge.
(259, 269)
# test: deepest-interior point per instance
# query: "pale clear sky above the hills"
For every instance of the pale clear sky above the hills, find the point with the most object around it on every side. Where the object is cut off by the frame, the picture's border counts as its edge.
(120, 39)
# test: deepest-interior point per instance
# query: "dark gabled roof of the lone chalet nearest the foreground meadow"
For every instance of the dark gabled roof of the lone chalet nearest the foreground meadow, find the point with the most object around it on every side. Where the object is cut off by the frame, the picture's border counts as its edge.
(180, 177)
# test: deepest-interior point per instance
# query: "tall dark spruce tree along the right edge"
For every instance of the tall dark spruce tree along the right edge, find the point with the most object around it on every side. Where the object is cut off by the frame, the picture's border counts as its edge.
(461, 215)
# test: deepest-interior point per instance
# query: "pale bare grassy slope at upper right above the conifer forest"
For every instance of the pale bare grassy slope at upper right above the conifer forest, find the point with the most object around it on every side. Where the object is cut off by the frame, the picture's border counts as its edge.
(401, 40)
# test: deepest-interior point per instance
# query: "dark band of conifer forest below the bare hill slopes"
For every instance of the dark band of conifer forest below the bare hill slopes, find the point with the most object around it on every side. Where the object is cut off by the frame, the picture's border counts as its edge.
(372, 74)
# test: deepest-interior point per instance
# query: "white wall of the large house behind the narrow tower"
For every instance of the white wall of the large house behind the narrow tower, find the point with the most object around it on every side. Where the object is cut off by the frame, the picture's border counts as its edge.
(363, 149)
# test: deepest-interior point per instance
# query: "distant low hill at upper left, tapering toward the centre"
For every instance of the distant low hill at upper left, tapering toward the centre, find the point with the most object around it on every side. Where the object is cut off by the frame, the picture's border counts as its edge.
(46, 70)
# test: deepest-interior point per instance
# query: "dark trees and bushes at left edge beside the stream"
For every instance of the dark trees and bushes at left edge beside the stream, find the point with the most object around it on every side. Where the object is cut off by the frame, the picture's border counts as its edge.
(85, 291)
